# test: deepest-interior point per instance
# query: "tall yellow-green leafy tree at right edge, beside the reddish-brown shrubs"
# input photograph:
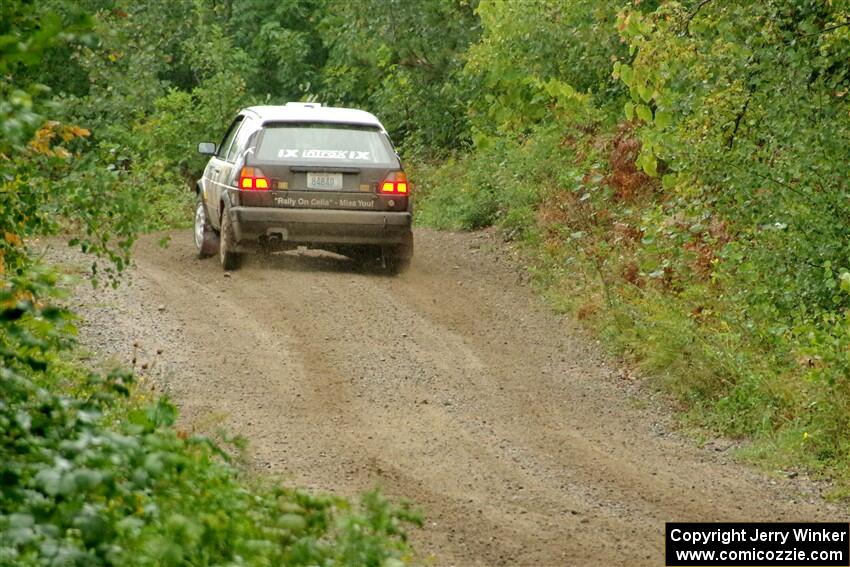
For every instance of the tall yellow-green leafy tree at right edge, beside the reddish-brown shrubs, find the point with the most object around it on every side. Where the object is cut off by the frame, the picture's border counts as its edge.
(750, 126)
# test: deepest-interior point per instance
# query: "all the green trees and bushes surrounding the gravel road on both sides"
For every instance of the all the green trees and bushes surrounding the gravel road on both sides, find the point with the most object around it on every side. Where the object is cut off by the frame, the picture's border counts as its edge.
(676, 171)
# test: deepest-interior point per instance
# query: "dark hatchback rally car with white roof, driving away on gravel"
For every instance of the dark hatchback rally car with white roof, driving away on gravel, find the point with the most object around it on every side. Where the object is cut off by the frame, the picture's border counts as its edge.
(304, 175)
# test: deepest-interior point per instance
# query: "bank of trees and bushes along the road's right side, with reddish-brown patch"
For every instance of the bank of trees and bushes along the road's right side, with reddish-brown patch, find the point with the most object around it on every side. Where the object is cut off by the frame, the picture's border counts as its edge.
(677, 172)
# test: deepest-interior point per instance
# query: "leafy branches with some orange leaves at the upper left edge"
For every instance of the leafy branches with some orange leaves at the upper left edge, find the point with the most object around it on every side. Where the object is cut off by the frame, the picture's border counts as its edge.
(46, 175)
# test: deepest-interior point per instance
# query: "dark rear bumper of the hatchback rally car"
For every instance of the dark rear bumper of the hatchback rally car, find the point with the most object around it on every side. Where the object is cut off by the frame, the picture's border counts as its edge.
(320, 226)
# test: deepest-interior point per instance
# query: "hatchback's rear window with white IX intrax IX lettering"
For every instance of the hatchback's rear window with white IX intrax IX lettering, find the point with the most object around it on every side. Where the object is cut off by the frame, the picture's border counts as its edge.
(322, 143)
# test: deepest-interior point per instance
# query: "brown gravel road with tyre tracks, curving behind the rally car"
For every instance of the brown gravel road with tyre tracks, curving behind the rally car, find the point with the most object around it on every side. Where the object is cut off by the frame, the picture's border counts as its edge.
(451, 385)
